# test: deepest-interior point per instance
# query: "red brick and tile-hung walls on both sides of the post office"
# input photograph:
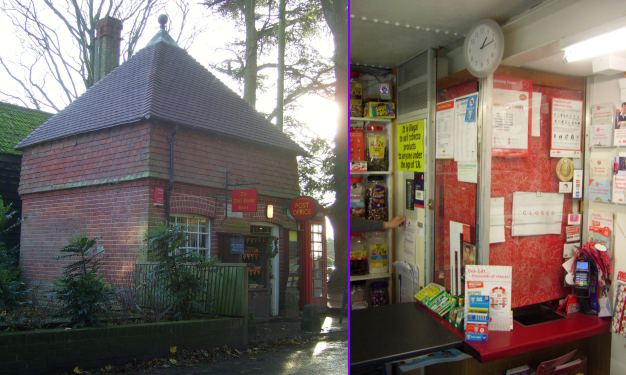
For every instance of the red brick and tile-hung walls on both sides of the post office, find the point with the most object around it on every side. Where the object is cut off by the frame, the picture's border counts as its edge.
(100, 184)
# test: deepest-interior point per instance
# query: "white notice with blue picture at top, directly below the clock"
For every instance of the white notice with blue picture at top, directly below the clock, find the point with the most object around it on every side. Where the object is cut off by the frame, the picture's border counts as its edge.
(465, 129)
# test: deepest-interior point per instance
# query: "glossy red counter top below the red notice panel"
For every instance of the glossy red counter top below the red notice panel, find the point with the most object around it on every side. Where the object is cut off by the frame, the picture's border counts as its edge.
(524, 339)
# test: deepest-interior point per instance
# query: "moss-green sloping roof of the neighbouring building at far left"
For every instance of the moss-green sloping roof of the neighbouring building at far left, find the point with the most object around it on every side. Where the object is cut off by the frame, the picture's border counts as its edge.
(16, 123)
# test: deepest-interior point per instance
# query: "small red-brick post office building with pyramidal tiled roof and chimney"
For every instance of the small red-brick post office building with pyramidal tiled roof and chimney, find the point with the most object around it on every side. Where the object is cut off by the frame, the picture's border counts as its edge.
(158, 125)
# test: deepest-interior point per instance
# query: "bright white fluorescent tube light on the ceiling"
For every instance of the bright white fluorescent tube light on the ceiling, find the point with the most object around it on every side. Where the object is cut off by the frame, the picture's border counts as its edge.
(610, 42)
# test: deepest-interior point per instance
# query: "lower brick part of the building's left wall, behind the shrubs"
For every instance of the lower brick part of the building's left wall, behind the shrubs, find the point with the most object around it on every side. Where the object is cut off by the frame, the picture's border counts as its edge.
(117, 214)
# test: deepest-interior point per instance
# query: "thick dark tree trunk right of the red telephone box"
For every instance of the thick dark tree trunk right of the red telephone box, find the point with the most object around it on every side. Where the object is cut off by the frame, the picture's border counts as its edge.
(336, 15)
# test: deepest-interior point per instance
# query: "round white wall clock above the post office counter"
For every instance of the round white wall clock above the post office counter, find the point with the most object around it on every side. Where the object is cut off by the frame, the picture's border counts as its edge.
(483, 48)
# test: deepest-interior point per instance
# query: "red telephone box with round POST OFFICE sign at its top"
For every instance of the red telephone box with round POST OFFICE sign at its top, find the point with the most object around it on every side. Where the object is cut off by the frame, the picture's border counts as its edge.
(313, 251)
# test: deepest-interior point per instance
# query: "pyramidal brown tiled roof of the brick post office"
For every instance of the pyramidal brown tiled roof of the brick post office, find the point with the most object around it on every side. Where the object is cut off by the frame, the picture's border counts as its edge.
(162, 82)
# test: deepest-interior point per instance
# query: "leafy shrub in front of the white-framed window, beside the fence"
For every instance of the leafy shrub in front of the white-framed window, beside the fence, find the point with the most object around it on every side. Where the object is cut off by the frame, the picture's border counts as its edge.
(178, 279)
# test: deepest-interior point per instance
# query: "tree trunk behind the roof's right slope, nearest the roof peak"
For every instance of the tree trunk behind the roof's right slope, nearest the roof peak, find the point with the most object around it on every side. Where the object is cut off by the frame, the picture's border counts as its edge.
(250, 73)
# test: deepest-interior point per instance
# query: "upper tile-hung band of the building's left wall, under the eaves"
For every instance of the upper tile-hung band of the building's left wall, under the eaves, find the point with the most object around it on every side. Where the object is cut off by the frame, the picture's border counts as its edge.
(110, 155)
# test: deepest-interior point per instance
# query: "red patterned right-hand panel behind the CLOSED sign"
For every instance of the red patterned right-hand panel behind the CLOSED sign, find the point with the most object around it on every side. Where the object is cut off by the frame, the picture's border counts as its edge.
(536, 260)
